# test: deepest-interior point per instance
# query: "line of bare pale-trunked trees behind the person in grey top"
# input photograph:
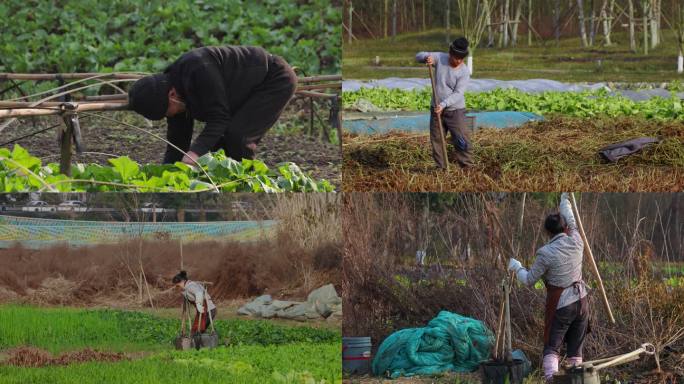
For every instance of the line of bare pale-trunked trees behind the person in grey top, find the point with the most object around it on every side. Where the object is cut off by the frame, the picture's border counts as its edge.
(509, 21)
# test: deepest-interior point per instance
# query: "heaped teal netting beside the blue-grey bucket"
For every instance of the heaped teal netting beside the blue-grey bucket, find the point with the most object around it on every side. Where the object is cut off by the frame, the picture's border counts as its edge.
(449, 342)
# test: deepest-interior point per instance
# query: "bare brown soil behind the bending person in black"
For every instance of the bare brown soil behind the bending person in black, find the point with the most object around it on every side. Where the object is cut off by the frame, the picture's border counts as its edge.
(321, 159)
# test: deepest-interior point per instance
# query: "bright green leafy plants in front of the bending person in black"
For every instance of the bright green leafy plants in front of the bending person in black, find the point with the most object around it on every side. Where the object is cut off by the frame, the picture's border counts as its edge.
(21, 172)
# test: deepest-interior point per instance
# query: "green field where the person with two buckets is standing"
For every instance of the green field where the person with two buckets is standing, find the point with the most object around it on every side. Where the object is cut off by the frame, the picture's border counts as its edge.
(253, 351)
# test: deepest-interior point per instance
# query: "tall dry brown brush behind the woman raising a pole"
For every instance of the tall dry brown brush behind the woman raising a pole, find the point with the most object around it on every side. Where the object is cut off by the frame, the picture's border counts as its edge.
(384, 290)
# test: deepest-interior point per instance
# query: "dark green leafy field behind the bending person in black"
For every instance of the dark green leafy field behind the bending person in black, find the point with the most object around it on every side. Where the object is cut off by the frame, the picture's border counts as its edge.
(119, 35)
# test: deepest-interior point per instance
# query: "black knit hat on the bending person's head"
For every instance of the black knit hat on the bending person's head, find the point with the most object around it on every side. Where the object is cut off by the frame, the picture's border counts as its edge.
(149, 96)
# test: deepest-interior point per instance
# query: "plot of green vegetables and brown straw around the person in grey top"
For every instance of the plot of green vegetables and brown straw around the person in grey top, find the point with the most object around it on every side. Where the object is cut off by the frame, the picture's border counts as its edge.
(558, 153)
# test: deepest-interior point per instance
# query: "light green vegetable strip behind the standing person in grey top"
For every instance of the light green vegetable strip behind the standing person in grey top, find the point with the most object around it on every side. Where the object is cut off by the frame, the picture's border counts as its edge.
(569, 104)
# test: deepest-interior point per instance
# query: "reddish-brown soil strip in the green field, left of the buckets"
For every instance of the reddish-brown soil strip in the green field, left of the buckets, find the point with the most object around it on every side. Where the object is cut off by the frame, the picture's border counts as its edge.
(36, 357)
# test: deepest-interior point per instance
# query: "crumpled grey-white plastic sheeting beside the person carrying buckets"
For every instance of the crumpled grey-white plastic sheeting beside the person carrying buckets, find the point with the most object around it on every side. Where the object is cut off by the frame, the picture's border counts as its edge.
(321, 303)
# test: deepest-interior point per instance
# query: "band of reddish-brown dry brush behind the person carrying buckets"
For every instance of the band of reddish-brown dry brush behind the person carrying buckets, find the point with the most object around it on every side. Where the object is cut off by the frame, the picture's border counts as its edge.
(101, 274)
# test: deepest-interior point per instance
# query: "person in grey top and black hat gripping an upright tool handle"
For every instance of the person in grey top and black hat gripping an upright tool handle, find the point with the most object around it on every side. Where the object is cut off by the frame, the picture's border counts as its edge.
(451, 78)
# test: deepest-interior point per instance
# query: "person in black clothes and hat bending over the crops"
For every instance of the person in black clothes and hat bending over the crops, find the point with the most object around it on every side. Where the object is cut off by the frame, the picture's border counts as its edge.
(237, 91)
